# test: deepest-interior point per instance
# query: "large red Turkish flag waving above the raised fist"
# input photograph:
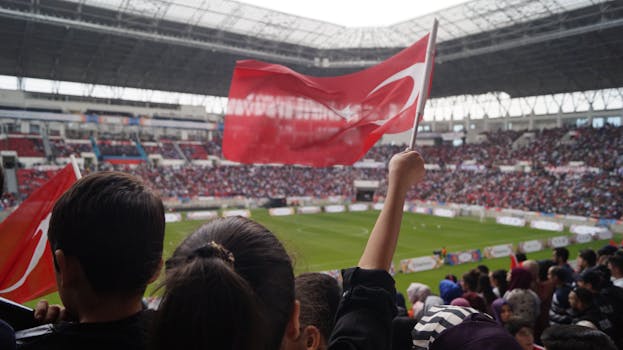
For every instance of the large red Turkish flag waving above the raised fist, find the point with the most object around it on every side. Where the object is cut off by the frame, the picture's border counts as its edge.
(276, 115)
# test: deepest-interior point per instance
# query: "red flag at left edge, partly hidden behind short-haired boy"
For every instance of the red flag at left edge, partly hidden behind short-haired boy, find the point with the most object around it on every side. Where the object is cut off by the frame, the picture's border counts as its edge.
(26, 268)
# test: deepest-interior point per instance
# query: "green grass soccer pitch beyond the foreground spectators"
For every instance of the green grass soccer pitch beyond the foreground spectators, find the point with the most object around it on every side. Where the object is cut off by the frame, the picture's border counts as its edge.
(319, 242)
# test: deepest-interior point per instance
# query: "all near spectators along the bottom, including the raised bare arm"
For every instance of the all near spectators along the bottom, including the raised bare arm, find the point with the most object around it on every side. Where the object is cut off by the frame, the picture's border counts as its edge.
(230, 285)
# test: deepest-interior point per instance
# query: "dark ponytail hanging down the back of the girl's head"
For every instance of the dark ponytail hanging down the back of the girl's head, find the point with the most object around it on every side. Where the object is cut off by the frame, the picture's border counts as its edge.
(206, 304)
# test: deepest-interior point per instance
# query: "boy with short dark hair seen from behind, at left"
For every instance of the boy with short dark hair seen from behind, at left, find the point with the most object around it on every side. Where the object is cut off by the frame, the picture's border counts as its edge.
(101, 214)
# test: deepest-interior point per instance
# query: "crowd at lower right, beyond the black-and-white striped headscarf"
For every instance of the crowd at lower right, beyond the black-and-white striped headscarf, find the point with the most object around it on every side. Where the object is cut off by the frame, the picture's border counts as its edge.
(536, 295)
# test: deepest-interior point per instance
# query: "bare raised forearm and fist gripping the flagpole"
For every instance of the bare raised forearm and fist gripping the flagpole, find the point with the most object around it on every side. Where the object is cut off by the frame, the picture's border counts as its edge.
(405, 170)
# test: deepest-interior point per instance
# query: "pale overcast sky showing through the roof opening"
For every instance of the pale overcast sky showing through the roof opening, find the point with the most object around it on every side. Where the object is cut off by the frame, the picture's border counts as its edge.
(357, 13)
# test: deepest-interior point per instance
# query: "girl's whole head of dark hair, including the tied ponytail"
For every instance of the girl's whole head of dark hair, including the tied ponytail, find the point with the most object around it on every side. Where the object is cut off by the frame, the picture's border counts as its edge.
(243, 284)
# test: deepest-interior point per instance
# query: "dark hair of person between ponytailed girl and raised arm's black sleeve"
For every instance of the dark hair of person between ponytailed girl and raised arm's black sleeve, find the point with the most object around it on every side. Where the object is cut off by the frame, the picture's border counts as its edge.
(319, 295)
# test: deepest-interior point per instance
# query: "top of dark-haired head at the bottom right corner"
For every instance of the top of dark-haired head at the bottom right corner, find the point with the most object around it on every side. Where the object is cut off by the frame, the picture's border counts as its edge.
(572, 337)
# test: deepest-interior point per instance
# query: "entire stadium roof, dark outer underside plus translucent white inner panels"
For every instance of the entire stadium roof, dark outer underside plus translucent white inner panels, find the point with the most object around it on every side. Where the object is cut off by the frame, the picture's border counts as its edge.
(521, 47)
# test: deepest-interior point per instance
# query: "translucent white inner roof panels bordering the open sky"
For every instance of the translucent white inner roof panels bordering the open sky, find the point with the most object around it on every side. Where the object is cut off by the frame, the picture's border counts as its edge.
(231, 16)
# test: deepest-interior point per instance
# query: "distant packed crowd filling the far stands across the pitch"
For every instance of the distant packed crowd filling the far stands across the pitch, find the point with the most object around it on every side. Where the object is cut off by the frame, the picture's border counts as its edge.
(588, 193)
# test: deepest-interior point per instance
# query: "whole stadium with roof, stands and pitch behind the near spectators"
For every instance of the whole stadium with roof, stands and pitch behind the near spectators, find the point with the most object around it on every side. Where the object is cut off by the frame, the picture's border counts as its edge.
(522, 134)
